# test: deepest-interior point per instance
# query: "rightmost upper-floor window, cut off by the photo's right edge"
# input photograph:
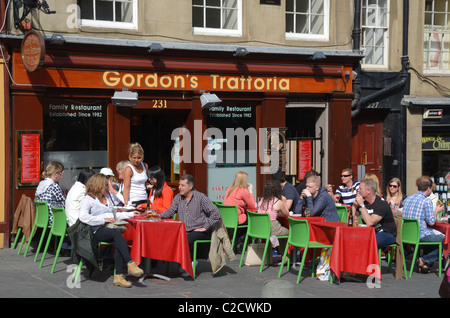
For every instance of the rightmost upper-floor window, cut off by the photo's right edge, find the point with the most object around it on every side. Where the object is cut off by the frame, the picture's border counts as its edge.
(436, 50)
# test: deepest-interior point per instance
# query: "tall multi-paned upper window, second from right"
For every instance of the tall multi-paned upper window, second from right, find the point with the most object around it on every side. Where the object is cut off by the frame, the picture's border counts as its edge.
(375, 32)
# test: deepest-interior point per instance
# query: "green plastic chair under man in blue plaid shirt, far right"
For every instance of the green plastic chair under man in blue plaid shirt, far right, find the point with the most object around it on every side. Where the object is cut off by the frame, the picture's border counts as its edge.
(410, 234)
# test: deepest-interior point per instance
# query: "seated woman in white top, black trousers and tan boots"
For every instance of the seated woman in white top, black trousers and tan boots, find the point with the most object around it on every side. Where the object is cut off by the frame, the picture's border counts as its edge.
(96, 212)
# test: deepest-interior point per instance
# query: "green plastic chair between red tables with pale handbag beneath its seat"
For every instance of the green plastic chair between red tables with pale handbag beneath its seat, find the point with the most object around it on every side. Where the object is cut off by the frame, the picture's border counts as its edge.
(259, 227)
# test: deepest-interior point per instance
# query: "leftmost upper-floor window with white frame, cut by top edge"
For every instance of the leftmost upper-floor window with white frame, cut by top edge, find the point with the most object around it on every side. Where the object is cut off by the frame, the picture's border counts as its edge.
(109, 13)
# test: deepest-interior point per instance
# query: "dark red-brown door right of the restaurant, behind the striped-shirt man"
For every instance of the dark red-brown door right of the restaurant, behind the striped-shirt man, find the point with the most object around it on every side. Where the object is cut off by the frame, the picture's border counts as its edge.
(367, 149)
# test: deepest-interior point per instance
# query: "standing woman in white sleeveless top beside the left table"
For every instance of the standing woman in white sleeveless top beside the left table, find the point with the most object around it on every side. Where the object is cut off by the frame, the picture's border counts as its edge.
(135, 177)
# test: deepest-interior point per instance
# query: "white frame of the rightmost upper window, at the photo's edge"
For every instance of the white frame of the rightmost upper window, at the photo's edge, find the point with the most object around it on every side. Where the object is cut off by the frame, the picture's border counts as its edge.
(444, 31)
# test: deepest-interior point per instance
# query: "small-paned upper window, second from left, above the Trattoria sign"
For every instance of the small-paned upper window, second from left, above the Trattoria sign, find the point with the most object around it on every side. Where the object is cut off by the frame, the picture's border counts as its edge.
(217, 17)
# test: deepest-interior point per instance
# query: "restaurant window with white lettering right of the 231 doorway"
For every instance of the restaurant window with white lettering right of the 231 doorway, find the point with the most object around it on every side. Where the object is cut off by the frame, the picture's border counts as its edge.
(231, 146)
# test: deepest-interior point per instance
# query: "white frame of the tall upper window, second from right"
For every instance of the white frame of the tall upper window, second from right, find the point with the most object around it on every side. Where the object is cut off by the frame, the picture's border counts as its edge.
(385, 64)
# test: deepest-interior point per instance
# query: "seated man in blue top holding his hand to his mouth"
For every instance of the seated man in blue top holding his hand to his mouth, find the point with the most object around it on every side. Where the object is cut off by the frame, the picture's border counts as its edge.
(319, 202)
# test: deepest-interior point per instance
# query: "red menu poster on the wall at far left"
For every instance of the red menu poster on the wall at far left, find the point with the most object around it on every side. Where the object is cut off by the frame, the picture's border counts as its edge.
(30, 151)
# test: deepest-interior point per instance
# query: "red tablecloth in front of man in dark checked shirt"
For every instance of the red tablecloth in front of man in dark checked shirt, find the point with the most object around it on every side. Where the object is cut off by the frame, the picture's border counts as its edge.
(165, 240)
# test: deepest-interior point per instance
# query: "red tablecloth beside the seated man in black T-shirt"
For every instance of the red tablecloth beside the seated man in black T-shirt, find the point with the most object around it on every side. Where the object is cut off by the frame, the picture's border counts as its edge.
(354, 248)
